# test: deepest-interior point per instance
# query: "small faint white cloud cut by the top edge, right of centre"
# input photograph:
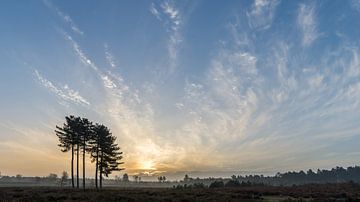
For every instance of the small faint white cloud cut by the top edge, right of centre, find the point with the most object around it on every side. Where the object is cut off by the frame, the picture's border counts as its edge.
(262, 13)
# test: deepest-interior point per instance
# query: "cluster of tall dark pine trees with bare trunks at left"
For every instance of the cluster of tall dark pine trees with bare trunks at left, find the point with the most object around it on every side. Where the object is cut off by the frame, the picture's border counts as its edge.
(81, 136)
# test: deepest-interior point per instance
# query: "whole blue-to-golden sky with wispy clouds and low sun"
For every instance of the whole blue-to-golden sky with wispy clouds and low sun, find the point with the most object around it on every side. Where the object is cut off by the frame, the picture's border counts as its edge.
(256, 86)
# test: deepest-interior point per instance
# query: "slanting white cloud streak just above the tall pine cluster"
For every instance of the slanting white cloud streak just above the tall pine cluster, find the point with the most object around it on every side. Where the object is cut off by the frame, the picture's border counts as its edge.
(65, 92)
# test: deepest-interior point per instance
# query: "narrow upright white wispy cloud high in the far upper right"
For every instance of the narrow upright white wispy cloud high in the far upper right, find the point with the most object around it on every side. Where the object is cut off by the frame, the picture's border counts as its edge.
(307, 23)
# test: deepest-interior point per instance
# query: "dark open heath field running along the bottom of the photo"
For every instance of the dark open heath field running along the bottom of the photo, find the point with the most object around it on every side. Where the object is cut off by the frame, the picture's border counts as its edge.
(327, 192)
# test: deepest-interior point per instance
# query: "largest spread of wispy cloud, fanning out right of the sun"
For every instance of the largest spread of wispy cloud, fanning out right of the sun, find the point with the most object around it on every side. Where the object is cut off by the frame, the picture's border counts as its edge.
(243, 107)
